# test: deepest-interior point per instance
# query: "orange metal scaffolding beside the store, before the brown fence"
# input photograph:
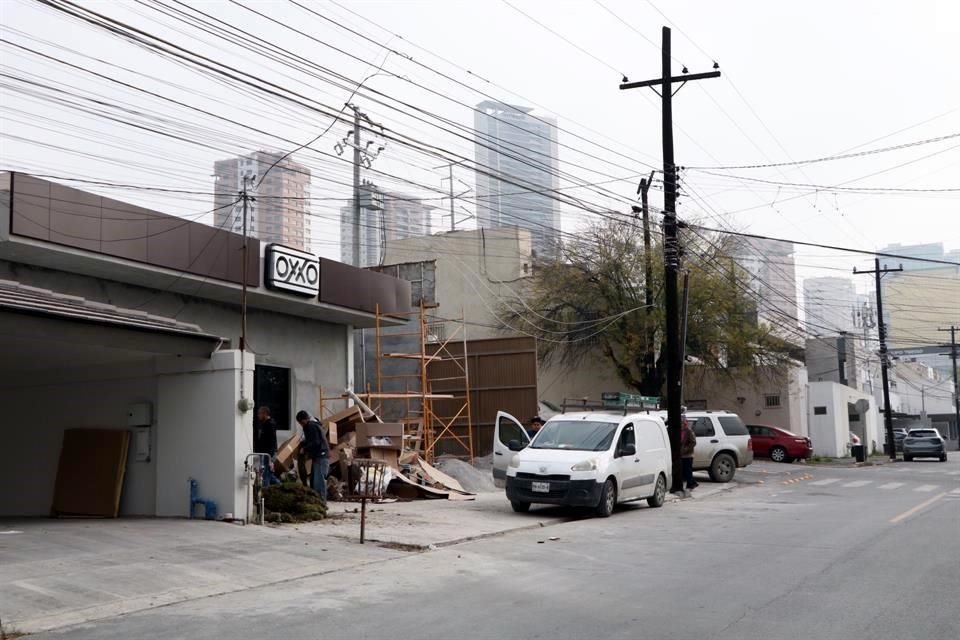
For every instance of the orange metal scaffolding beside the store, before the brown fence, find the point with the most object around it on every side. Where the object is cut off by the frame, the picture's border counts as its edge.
(431, 396)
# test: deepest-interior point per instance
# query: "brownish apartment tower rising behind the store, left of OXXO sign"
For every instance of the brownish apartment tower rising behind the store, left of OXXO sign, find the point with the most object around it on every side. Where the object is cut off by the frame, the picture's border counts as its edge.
(280, 211)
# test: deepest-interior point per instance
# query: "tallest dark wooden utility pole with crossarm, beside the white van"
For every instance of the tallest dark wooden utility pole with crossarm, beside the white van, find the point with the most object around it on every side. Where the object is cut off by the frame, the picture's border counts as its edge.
(671, 247)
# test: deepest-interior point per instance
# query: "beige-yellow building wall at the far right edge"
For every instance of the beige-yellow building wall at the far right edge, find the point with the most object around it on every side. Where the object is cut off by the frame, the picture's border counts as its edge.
(916, 303)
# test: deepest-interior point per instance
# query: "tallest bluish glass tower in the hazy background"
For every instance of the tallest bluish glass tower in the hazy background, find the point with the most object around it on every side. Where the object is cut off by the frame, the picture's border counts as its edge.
(517, 172)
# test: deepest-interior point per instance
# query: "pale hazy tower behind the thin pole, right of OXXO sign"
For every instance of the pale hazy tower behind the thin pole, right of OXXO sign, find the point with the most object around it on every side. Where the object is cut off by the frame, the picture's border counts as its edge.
(384, 216)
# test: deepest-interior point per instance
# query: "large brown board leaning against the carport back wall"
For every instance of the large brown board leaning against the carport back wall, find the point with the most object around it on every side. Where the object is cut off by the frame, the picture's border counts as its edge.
(90, 472)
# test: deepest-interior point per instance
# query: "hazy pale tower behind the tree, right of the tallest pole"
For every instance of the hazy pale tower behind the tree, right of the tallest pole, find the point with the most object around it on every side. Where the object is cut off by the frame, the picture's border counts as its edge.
(773, 279)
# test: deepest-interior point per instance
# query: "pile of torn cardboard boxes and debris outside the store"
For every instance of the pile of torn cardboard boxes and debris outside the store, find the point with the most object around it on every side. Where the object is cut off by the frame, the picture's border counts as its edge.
(358, 434)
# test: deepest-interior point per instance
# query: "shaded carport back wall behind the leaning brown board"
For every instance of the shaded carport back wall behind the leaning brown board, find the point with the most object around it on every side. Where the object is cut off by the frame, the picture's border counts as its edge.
(35, 414)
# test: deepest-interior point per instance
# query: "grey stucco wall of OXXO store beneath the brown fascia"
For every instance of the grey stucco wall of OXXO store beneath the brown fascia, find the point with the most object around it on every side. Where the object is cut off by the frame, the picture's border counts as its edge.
(315, 352)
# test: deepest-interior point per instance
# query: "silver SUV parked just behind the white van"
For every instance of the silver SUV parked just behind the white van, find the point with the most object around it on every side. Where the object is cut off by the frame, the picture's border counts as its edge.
(723, 443)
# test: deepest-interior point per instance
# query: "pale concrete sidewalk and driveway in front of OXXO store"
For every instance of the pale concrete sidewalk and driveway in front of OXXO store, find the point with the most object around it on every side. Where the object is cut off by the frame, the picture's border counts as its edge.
(58, 573)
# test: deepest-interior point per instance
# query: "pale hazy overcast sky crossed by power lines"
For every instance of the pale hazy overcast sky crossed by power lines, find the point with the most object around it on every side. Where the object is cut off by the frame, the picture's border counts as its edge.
(799, 81)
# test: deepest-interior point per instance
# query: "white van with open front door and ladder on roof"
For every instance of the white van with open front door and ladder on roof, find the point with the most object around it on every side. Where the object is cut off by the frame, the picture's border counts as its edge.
(583, 459)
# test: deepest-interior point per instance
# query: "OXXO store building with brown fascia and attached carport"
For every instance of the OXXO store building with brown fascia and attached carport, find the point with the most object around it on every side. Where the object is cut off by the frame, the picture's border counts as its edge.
(105, 306)
